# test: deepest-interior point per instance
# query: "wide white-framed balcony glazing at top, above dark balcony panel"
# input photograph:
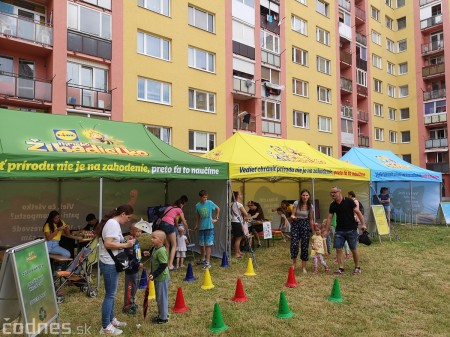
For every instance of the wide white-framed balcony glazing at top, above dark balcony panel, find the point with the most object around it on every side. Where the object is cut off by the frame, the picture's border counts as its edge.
(89, 21)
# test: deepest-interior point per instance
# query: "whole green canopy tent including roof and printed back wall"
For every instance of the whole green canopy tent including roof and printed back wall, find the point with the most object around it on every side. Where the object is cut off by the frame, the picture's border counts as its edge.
(79, 165)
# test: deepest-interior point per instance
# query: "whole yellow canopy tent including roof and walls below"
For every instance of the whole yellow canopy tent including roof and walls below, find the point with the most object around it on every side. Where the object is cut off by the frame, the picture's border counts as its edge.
(259, 160)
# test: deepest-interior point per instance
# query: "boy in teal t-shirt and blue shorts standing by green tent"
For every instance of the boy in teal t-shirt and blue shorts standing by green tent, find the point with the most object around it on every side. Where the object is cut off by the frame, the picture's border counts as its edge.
(205, 222)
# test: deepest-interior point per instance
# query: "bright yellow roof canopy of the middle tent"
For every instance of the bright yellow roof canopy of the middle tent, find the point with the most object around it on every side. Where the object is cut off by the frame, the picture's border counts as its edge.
(252, 157)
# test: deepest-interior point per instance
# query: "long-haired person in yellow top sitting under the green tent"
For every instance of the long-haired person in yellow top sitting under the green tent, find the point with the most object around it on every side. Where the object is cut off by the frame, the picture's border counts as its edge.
(53, 229)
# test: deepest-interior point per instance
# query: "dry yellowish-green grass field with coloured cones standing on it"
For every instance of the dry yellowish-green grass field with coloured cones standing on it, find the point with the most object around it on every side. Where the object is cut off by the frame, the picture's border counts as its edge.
(404, 290)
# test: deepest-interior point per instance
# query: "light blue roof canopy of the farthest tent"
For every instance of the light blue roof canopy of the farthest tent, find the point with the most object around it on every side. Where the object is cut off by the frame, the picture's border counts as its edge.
(386, 166)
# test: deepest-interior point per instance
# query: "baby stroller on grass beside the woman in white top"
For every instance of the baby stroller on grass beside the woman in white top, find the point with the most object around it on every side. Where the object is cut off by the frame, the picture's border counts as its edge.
(79, 272)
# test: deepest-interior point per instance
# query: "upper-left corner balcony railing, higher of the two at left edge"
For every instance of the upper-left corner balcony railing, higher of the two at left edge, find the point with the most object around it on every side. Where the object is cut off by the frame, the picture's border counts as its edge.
(25, 29)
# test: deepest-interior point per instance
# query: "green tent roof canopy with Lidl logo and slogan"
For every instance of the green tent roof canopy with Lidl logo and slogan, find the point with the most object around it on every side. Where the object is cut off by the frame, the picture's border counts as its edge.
(39, 145)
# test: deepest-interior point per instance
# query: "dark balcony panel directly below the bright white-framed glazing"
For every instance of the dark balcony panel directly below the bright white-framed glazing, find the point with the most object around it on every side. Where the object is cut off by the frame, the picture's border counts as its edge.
(89, 45)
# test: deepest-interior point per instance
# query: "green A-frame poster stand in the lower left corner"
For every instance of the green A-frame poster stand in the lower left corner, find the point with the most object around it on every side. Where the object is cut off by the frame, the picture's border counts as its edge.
(27, 291)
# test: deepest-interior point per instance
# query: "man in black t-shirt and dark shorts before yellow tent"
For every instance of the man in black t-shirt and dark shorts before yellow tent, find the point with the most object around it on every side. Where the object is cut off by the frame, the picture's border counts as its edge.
(346, 227)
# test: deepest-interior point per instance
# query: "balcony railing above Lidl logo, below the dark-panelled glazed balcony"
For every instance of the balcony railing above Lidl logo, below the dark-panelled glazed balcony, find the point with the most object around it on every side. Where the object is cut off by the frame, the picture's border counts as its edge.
(88, 97)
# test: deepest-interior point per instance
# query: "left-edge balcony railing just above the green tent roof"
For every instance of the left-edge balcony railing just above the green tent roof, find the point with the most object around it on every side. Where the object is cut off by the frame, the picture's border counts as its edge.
(27, 88)
